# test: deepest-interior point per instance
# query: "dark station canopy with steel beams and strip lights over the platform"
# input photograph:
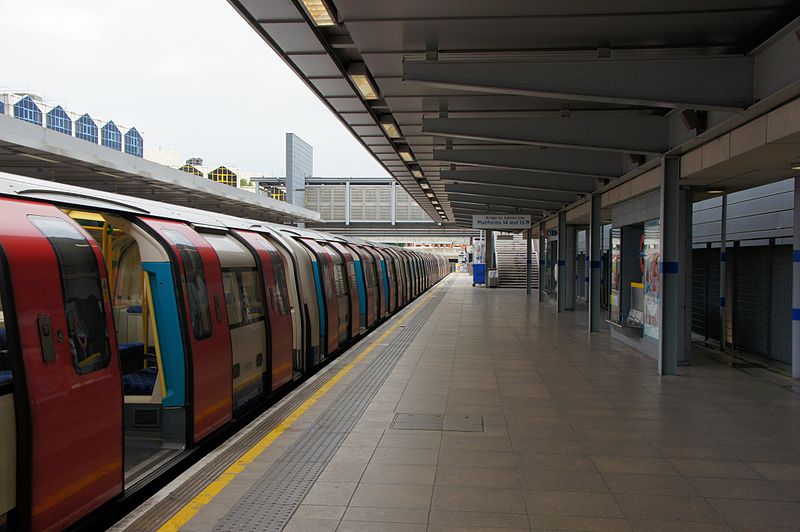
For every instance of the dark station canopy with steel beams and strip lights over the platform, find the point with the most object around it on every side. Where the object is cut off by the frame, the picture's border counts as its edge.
(518, 106)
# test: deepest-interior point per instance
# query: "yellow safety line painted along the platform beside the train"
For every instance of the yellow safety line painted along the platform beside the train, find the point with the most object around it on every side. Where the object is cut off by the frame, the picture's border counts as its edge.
(217, 485)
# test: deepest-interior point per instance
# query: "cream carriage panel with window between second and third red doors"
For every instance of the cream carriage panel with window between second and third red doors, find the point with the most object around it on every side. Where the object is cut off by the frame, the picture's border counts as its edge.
(242, 284)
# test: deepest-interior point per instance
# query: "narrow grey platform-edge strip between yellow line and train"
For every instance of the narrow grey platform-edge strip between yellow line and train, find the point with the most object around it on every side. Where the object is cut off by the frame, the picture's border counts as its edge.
(163, 510)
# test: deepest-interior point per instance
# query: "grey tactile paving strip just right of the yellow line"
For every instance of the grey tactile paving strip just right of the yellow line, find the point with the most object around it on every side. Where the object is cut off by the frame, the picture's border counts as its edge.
(271, 501)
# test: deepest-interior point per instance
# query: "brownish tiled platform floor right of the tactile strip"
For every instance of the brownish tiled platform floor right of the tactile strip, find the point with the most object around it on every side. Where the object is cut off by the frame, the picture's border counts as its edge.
(580, 434)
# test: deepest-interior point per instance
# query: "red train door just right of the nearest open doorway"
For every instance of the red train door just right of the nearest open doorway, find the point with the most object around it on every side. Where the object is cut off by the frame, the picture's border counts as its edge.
(206, 319)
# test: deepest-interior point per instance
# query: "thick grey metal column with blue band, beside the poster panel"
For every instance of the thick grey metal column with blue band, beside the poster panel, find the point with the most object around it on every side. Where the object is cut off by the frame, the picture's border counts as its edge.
(671, 336)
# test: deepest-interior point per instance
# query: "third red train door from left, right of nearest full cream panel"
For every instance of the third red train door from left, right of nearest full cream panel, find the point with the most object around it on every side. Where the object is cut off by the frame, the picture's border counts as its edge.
(282, 363)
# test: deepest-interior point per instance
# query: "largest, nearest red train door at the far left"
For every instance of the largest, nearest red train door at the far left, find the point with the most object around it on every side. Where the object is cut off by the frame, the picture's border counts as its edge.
(72, 457)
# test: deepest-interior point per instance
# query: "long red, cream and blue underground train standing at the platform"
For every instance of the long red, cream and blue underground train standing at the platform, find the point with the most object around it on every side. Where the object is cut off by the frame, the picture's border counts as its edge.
(132, 330)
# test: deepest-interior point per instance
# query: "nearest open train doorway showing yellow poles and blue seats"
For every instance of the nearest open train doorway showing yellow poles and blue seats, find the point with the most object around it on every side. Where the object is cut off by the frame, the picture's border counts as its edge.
(154, 409)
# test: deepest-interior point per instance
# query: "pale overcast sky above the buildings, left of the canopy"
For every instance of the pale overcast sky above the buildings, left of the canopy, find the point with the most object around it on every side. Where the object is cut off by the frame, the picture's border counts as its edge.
(191, 75)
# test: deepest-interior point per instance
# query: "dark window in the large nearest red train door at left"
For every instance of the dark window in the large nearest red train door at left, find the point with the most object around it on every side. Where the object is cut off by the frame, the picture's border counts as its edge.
(83, 299)
